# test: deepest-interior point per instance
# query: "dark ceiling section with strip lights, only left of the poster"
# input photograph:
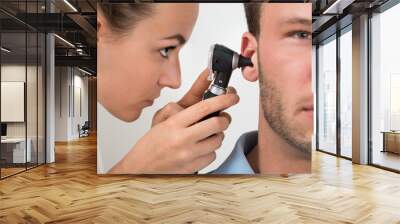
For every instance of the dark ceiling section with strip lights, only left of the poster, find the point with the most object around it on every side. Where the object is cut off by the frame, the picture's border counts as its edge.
(72, 20)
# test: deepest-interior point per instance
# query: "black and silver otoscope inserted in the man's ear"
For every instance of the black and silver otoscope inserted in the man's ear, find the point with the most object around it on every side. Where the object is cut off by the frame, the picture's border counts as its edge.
(222, 61)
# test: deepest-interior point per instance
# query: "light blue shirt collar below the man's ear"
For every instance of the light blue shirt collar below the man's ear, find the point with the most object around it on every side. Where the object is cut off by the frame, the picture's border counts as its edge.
(237, 162)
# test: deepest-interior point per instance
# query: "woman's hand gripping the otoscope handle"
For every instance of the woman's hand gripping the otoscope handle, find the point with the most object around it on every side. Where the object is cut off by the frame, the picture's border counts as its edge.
(178, 142)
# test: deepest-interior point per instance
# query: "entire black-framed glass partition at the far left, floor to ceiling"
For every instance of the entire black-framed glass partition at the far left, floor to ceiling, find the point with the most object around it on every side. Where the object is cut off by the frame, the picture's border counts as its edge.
(23, 83)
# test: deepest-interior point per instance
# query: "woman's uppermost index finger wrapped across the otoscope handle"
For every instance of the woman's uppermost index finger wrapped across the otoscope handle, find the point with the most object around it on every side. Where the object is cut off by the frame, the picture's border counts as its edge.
(198, 111)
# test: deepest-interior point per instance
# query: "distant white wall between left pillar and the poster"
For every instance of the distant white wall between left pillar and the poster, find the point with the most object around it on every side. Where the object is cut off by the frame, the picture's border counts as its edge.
(67, 81)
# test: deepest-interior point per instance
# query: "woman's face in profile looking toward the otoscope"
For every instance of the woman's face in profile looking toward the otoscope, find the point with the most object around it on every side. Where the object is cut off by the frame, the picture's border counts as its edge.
(135, 66)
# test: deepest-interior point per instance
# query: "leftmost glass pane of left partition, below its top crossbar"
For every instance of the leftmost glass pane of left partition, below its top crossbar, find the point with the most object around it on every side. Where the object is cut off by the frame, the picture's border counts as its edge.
(13, 87)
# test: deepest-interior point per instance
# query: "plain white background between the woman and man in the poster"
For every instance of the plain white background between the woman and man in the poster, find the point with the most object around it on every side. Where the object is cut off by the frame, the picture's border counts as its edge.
(217, 23)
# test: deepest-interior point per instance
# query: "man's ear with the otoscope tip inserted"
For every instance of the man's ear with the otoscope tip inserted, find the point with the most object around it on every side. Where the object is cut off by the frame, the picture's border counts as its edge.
(249, 49)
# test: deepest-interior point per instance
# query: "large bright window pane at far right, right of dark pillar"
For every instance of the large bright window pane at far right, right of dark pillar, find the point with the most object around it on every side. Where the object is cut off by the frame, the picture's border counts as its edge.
(386, 89)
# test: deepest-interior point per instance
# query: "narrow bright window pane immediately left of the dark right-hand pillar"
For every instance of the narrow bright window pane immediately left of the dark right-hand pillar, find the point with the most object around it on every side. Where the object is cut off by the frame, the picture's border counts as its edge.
(346, 94)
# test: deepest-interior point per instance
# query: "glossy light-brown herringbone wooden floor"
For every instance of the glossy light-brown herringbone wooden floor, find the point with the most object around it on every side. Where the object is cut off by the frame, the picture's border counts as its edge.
(69, 191)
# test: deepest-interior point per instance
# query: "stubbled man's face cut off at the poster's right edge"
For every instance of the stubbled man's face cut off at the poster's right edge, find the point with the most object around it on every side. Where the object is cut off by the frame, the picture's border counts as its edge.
(284, 62)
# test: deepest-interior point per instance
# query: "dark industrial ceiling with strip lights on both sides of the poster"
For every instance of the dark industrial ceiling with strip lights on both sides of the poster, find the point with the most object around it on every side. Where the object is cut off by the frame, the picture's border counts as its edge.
(75, 21)
